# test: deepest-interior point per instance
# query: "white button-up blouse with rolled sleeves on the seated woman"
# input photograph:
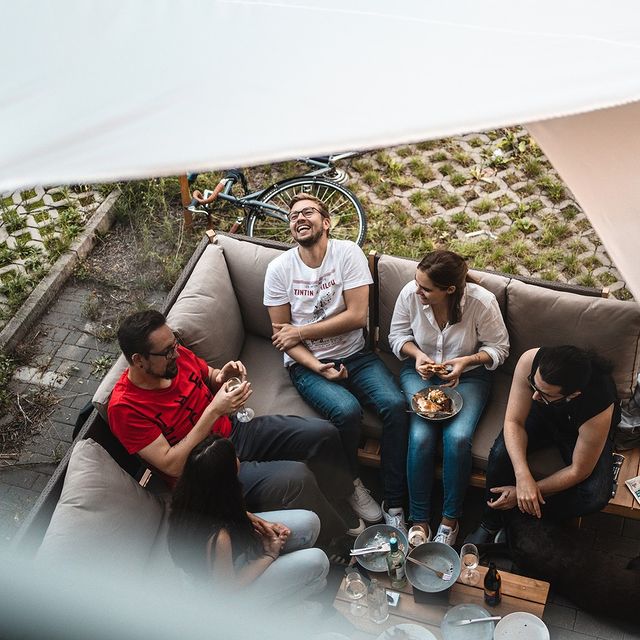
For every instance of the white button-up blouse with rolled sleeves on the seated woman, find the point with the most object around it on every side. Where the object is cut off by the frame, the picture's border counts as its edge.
(481, 327)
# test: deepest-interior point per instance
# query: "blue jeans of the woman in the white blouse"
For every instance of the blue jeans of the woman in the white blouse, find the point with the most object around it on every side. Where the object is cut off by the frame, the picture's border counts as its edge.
(457, 435)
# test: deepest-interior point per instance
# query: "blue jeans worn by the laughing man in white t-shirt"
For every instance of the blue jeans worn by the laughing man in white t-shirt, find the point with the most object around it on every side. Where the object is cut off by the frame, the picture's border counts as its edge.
(369, 383)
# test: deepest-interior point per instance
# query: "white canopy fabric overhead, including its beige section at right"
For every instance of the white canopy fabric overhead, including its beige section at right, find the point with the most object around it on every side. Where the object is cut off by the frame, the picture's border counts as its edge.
(95, 91)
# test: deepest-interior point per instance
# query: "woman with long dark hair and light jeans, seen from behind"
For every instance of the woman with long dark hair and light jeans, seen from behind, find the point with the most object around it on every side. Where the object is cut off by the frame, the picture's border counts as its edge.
(212, 538)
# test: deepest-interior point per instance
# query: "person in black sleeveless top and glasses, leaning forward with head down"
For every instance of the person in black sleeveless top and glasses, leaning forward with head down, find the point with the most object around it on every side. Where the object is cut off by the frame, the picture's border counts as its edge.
(563, 396)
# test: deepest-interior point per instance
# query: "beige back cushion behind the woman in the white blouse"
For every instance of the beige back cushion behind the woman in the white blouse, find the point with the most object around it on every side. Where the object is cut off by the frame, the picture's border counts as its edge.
(394, 273)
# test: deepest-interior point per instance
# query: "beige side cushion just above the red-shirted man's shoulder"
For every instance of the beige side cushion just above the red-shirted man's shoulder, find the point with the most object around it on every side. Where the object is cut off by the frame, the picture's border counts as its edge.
(207, 313)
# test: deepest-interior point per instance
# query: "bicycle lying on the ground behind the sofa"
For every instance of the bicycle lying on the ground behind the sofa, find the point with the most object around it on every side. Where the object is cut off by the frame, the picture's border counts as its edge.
(265, 212)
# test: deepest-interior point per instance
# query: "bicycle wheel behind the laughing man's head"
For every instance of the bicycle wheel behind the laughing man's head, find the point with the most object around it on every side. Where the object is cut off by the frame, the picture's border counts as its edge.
(348, 220)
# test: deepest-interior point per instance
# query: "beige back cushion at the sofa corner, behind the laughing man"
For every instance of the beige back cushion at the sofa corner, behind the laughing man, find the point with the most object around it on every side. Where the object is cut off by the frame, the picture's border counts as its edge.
(247, 264)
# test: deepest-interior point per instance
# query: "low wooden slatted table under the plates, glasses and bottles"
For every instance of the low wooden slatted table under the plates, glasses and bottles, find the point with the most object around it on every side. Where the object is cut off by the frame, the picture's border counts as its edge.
(518, 594)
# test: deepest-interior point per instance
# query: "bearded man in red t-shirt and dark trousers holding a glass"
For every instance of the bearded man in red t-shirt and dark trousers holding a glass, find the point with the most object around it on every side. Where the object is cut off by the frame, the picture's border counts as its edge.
(169, 400)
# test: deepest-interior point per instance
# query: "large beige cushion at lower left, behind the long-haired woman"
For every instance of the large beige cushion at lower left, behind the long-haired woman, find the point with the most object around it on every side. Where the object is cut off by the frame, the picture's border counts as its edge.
(103, 515)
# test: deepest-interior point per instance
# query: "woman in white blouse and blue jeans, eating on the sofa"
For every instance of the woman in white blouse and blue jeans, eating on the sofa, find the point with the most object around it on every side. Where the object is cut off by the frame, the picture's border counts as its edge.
(444, 318)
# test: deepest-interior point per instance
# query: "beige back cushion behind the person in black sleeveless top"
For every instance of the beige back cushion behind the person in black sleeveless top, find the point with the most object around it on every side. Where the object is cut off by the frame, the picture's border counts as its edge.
(541, 317)
